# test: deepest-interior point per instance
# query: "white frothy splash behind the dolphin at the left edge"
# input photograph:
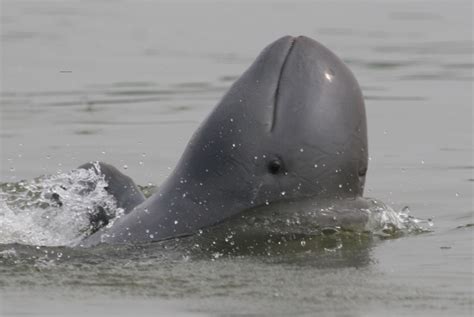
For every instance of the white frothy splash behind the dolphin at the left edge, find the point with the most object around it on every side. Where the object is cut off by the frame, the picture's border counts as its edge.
(56, 210)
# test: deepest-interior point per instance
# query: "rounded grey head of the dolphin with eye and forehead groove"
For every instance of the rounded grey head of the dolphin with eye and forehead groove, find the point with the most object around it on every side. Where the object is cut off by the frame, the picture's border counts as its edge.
(292, 126)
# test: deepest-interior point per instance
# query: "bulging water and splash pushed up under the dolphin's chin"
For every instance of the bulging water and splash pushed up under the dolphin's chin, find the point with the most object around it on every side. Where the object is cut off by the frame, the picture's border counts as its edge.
(328, 217)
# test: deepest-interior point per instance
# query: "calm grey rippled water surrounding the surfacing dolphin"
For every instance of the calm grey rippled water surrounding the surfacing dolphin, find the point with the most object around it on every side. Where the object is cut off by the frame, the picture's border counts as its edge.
(128, 82)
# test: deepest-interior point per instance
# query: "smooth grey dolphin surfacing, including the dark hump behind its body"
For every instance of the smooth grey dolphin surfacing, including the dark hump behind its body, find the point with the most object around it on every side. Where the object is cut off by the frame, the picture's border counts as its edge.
(292, 127)
